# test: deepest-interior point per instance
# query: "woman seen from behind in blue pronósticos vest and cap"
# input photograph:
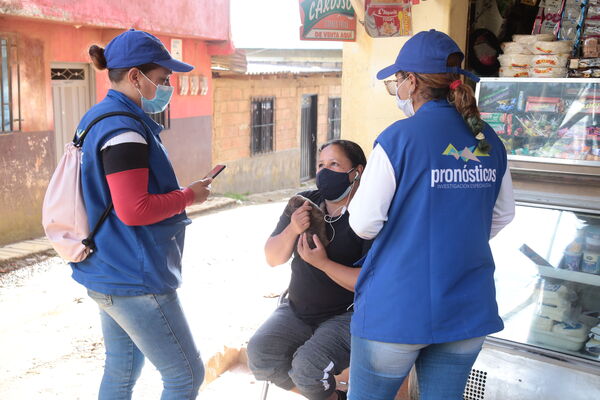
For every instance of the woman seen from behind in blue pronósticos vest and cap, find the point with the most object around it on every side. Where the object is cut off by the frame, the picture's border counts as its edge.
(435, 190)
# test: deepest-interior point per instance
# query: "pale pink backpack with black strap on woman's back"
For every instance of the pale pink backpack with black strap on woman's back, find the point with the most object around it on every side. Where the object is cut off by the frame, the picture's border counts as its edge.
(64, 216)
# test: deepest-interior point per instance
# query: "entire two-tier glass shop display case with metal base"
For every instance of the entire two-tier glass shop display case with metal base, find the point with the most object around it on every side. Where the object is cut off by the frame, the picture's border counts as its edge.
(547, 259)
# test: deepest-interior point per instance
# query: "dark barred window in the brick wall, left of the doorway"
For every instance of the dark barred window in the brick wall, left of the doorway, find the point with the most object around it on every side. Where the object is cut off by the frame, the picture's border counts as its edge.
(262, 126)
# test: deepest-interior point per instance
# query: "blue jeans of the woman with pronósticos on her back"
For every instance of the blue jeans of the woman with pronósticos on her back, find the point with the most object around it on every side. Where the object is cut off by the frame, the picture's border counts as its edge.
(377, 369)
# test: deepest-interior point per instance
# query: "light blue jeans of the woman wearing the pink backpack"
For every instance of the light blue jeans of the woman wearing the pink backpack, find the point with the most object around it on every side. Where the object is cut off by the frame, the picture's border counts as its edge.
(153, 326)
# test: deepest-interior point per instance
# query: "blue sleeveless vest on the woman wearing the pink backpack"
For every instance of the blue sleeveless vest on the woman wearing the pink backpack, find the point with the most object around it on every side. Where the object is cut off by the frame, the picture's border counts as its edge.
(129, 260)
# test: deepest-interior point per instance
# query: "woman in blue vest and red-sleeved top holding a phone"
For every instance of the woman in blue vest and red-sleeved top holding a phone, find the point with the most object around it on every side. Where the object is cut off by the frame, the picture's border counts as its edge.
(136, 268)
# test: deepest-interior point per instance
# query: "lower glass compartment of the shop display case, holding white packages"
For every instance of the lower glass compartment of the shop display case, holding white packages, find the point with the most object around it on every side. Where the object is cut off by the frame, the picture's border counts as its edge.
(548, 280)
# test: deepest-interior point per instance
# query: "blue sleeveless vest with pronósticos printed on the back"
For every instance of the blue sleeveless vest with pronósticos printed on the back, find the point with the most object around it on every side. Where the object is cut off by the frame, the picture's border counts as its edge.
(429, 276)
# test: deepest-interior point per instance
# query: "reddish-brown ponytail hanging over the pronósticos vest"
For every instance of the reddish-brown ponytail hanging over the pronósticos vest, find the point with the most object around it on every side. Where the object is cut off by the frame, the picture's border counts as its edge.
(463, 98)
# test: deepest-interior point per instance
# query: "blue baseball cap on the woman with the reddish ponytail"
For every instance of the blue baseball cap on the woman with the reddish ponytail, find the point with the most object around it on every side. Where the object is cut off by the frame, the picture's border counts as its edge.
(426, 53)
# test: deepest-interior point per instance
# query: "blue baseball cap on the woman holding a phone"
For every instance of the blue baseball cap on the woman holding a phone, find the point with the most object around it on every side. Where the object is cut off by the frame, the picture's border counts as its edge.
(133, 48)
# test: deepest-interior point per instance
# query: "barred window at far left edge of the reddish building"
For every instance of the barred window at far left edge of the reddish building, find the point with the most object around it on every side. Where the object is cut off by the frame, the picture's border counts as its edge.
(10, 118)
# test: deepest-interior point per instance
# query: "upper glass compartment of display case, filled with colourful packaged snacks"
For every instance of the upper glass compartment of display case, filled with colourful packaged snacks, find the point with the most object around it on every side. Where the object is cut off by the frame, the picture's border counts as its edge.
(544, 119)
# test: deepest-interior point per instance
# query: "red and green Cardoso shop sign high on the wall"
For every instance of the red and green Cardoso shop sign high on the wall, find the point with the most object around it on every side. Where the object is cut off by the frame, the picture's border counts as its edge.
(330, 20)
